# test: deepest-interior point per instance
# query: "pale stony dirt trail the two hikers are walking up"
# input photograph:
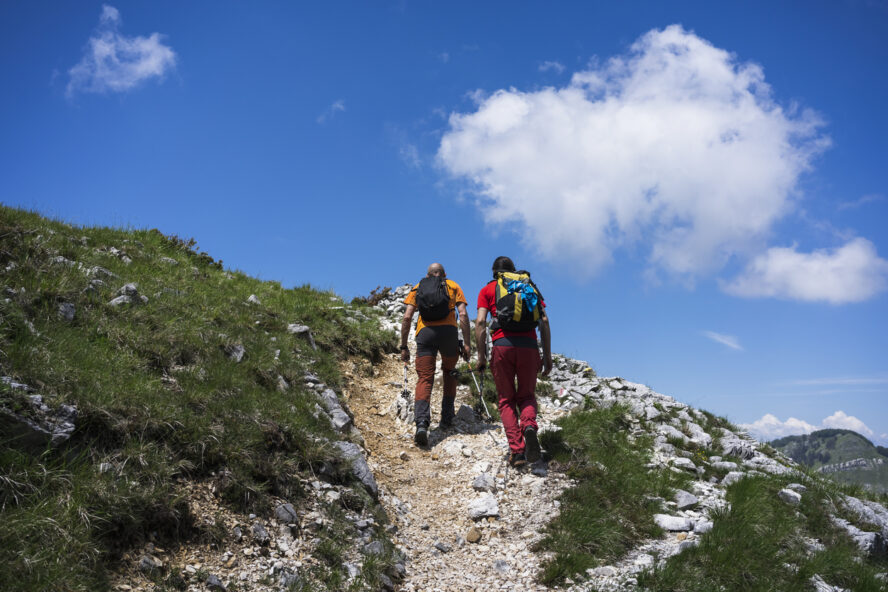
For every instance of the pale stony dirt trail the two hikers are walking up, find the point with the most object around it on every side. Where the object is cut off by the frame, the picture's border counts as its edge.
(428, 492)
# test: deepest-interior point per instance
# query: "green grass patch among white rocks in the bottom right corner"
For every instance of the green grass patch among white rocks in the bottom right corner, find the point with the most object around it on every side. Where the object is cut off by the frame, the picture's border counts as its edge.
(752, 544)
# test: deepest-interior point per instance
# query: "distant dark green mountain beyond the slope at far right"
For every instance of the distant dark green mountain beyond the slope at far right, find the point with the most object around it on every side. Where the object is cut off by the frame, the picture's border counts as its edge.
(844, 455)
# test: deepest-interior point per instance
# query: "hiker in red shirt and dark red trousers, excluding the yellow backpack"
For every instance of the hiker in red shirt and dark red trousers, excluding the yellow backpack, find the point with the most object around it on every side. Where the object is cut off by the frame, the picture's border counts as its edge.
(515, 355)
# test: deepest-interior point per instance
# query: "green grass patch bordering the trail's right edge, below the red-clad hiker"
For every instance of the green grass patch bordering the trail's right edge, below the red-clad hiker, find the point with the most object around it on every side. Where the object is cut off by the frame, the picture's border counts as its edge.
(611, 507)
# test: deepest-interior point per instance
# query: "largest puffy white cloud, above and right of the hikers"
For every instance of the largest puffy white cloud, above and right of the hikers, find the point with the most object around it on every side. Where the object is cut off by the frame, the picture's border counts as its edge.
(676, 147)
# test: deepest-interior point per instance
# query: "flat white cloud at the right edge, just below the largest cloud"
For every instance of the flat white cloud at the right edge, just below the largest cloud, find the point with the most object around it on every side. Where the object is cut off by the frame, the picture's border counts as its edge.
(851, 273)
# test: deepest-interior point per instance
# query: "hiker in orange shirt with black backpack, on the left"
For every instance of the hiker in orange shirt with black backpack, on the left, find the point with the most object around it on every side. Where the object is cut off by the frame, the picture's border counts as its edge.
(437, 299)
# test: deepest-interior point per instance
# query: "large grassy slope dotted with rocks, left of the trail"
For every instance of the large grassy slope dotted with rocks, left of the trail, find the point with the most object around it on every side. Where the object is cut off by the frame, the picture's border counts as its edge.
(191, 380)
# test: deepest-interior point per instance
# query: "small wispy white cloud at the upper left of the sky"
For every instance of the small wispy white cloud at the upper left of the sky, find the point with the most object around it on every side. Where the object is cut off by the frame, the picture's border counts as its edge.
(116, 63)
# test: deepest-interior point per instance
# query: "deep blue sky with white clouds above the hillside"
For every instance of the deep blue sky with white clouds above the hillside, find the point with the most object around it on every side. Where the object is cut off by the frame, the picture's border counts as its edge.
(698, 188)
